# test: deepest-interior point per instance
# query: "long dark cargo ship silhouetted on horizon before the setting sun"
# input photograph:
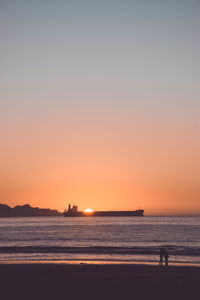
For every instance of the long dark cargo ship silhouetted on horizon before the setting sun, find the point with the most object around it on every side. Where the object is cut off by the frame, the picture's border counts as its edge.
(74, 212)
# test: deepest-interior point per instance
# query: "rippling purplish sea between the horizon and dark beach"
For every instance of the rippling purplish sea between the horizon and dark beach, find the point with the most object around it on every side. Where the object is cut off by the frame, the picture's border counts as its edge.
(100, 239)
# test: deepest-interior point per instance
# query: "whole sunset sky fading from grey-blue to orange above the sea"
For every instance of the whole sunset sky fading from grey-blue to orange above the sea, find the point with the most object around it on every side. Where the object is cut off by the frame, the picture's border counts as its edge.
(100, 104)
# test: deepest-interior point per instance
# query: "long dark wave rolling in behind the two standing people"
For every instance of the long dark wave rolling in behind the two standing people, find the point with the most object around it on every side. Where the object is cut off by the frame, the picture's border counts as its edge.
(173, 250)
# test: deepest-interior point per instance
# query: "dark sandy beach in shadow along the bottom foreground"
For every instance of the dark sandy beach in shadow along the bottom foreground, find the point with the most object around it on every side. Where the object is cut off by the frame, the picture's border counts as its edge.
(48, 281)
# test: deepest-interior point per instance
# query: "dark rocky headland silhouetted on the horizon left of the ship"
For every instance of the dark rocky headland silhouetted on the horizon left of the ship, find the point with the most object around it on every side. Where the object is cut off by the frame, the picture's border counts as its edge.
(27, 211)
